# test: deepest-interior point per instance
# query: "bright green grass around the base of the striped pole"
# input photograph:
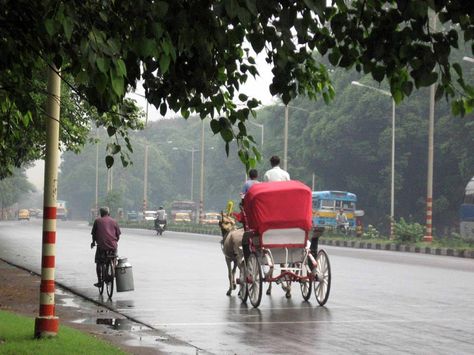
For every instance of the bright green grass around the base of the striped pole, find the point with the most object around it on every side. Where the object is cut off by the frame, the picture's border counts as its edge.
(16, 337)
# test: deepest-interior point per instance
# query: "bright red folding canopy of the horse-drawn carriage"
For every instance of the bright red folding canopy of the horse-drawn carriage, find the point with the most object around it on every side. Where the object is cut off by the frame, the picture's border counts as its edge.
(278, 205)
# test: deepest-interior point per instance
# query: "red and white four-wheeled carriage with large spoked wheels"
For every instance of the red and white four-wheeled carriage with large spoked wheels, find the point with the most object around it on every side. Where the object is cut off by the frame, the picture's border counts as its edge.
(278, 223)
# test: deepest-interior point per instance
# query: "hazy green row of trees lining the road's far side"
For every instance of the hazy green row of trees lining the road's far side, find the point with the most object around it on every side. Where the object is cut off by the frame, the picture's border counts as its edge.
(345, 144)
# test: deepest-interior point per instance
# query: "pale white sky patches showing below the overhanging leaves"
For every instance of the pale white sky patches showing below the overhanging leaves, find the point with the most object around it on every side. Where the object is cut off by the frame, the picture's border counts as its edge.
(257, 88)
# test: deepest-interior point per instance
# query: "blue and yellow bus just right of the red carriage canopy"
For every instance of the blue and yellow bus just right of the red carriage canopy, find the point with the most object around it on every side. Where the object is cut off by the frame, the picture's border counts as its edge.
(326, 204)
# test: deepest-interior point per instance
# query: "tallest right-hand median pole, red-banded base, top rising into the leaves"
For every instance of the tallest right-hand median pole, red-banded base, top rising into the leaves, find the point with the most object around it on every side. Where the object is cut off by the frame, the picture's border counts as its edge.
(429, 193)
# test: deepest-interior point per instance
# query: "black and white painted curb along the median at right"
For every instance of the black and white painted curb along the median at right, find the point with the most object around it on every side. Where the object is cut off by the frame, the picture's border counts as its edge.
(460, 253)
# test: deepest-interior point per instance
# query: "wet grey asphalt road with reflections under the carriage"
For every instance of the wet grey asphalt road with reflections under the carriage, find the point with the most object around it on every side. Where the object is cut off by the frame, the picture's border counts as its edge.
(380, 302)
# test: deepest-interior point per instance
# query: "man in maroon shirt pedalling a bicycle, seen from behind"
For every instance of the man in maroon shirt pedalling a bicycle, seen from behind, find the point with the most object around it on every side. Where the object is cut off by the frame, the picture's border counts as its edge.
(106, 233)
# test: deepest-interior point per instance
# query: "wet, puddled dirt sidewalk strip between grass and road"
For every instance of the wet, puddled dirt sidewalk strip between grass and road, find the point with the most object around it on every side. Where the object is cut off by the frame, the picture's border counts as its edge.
(19, 293)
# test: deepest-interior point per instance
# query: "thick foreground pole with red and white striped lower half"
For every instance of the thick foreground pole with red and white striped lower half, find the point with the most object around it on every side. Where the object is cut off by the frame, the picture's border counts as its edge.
(47, 324)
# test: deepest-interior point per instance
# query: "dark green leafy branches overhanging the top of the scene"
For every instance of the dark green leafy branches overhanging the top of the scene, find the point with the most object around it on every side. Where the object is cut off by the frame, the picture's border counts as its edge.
(193, 55)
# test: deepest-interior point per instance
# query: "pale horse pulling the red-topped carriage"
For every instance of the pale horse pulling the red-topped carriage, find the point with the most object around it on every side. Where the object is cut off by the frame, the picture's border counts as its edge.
(231, 245)
